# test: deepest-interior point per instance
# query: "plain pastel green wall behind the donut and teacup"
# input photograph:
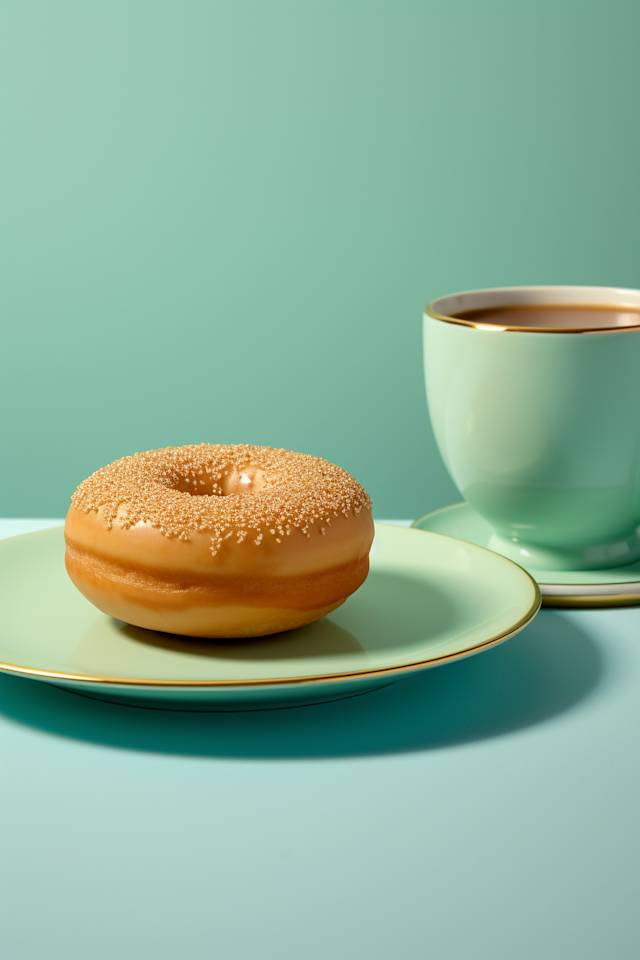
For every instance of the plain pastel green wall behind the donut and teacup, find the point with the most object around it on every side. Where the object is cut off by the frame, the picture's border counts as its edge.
(221, 221)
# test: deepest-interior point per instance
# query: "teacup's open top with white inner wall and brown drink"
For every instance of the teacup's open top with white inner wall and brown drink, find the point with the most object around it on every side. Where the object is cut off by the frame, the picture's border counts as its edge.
(566, 309)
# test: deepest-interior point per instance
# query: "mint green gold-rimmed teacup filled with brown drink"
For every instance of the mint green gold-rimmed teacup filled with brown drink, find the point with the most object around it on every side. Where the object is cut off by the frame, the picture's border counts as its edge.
(536, 412)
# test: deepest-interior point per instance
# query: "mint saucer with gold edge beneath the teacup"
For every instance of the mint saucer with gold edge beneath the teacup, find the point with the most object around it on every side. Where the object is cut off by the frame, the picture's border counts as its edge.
(612, 587)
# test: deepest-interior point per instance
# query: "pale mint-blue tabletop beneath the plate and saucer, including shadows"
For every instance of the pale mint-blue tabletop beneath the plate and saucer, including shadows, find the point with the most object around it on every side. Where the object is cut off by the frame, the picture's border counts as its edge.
(488, 808)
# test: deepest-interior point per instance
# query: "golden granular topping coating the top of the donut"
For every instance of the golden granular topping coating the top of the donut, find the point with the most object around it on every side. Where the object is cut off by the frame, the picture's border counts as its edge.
(296, 489)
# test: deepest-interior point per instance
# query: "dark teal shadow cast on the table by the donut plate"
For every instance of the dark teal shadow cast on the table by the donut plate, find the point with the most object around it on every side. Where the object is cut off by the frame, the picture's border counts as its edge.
(547, 669)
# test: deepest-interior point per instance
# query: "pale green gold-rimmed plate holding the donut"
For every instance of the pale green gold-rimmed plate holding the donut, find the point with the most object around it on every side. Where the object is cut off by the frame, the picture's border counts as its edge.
(428, 600)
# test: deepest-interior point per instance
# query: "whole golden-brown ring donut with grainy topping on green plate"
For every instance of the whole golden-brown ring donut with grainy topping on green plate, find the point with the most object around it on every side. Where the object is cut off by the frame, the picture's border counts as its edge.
(219, 541)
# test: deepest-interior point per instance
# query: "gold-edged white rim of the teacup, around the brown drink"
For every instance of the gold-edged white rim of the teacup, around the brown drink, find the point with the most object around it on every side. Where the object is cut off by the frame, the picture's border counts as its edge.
(444, 307)
